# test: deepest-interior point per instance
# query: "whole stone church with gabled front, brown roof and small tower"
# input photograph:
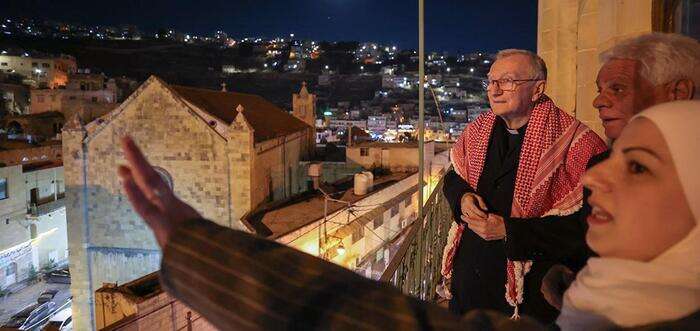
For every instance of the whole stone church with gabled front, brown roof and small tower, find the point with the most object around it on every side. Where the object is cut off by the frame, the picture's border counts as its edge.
(224, 153)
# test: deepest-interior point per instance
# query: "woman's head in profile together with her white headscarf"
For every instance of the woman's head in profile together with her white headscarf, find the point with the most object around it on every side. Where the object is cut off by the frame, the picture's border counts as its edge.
(644, 226)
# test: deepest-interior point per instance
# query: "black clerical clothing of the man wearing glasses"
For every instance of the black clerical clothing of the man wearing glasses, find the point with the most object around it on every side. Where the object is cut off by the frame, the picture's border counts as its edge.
(479, 273)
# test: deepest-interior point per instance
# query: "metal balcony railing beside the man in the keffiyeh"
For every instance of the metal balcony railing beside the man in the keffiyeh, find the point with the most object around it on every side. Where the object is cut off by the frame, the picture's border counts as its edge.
(415, 269)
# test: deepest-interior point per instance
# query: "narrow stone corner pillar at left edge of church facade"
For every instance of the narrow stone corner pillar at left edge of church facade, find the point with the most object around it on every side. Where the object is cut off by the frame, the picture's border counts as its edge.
(77, 226)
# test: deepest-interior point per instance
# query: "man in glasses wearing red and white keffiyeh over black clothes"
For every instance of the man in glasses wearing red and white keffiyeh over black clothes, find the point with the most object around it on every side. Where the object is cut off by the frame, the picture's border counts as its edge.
(514, 164)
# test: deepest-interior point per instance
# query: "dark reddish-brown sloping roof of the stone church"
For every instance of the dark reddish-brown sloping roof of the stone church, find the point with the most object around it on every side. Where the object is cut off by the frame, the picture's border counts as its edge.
(268, 120)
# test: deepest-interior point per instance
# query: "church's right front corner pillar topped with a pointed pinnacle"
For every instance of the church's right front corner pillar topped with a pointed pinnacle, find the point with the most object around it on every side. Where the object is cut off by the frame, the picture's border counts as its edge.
(241, 153)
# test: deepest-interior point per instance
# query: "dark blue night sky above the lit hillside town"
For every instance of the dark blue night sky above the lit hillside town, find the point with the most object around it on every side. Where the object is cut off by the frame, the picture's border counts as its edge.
(451, 25)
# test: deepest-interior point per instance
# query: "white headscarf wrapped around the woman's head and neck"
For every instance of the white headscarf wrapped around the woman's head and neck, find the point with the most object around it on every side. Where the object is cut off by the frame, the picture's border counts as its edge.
(626, 293)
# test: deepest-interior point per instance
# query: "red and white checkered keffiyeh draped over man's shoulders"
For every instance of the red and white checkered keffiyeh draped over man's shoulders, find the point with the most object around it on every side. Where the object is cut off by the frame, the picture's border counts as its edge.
(553, 158)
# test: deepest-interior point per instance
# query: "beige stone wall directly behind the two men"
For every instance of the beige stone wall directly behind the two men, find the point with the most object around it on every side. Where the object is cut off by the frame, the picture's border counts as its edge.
(571, 35)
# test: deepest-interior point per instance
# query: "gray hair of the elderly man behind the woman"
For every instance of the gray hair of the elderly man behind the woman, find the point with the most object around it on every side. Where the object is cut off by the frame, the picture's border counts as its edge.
(664, 57)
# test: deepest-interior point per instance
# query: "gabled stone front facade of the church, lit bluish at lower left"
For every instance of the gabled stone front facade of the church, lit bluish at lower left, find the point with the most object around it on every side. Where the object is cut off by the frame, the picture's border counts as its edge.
(109, 241)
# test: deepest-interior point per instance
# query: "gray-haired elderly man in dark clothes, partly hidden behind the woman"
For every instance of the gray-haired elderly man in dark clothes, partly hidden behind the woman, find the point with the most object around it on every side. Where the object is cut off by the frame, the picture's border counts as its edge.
(636, 74)
